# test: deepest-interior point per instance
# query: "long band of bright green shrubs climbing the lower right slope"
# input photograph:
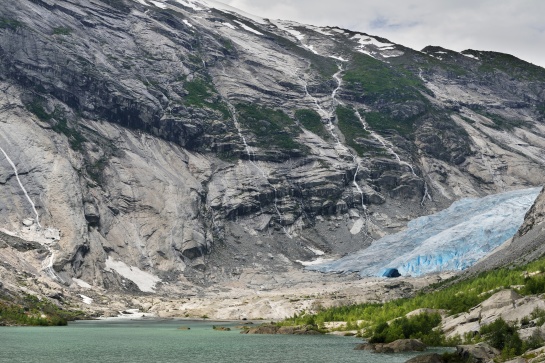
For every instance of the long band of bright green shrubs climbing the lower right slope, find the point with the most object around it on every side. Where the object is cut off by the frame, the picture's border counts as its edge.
(452, 296)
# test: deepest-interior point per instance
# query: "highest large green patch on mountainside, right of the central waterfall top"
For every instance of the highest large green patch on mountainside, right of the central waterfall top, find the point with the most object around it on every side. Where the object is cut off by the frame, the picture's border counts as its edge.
(381, 82)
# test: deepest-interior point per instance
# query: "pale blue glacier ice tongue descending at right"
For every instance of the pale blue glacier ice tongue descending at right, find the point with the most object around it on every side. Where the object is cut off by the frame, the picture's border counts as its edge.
(452, 239)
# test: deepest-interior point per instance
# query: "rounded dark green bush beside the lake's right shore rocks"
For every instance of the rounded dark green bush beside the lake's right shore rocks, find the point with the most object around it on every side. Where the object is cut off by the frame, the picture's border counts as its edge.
(421, 326)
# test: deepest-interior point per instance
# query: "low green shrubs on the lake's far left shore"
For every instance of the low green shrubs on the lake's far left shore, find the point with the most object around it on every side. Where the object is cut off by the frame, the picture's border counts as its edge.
(33, 311)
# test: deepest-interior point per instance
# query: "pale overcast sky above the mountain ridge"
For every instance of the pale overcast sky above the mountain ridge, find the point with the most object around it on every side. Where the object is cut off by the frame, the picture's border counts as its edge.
(510, 26)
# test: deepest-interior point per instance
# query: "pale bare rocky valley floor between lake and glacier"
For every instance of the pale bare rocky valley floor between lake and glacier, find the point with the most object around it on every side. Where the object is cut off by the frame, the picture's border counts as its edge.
(258, 295)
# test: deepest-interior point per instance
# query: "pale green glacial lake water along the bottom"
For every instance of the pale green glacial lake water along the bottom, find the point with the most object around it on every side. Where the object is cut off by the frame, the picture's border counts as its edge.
(148, 341)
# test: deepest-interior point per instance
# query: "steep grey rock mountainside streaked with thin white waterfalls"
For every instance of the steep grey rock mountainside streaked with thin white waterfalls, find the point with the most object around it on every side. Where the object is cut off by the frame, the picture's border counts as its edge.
(155, 146)
